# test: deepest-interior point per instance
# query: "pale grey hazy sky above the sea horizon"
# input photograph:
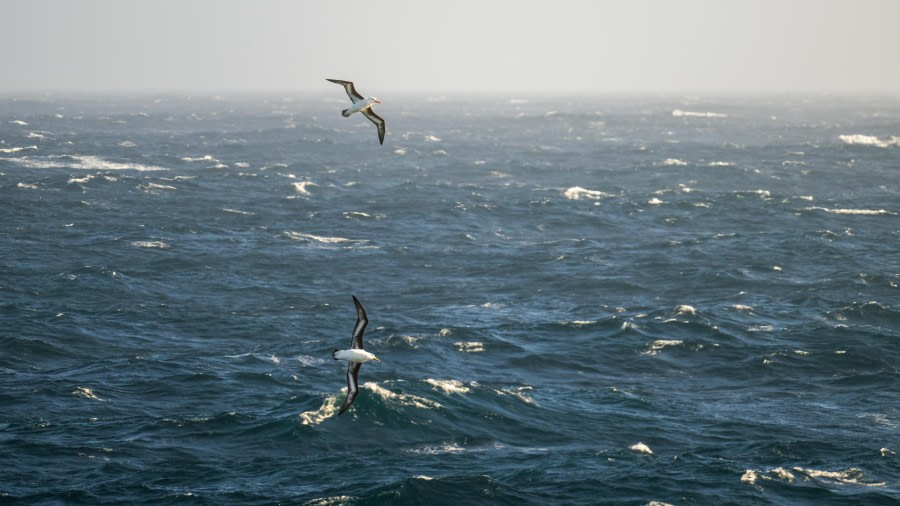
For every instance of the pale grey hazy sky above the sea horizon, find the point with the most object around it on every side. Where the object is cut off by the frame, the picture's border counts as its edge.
(461, 45)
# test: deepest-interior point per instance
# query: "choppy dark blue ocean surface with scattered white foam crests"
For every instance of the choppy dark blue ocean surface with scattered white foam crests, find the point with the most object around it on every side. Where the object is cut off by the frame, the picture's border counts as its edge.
(575, 300)
